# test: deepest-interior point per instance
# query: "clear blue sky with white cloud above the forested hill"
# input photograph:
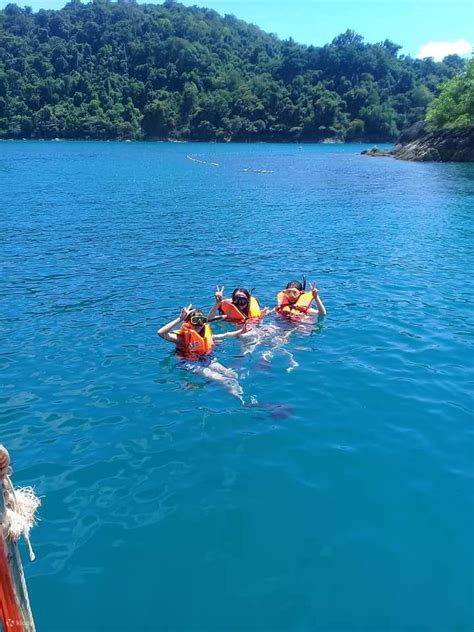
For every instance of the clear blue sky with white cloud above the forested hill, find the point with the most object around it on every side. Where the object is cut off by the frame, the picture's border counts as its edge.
(410, 23)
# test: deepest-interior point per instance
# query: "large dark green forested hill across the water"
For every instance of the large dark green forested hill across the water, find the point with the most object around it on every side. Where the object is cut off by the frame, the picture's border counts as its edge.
(122, 70)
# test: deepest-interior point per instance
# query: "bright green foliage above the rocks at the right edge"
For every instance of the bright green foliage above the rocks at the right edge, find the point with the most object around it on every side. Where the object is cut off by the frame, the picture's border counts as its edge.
(455, 105)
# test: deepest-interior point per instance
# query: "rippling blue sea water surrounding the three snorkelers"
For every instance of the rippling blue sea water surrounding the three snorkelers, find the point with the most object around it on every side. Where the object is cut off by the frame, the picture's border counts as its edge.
(339, 497)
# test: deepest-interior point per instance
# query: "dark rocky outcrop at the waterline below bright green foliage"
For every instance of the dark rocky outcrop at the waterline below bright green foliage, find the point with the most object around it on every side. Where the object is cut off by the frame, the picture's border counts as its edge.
(421, 142)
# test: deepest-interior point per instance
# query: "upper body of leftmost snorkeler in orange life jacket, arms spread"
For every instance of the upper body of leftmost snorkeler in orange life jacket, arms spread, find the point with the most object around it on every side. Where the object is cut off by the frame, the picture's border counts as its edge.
(195, 338)
